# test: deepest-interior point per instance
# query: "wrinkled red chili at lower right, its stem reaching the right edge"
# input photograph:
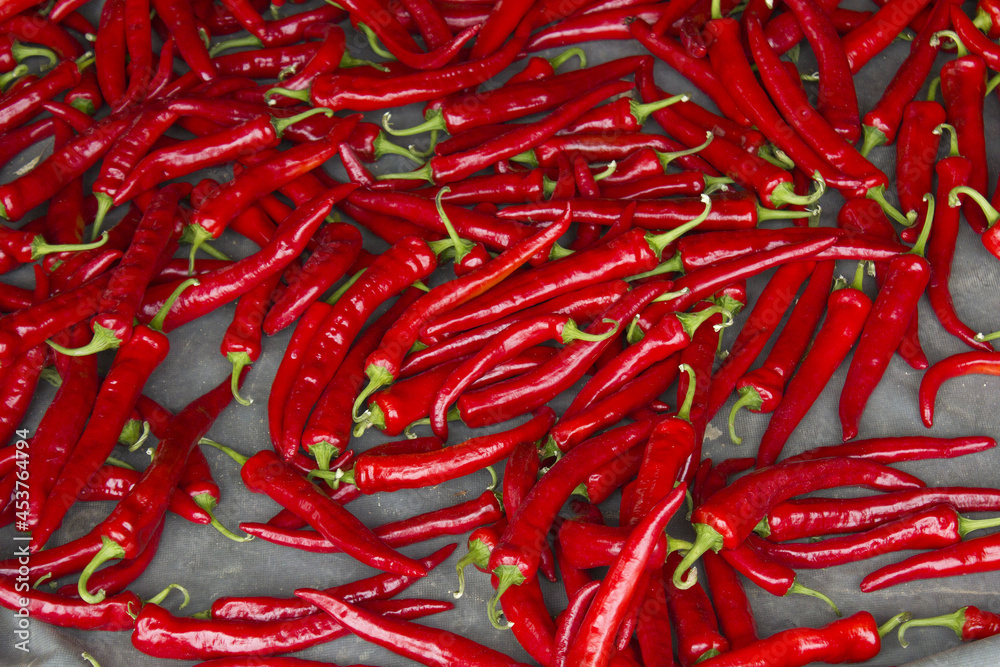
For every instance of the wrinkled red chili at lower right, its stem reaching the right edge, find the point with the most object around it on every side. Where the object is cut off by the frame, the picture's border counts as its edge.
(932, 528)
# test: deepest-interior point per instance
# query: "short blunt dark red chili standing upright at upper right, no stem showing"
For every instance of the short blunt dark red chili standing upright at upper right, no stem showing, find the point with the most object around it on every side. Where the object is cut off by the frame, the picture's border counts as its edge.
(916, 153)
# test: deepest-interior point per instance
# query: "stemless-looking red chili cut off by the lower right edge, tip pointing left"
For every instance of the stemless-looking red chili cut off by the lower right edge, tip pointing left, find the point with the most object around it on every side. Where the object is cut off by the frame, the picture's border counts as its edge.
(976, 555)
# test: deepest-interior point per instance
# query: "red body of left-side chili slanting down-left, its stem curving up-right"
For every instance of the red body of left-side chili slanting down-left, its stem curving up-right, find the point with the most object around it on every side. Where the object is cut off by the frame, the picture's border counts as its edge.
(133, 364)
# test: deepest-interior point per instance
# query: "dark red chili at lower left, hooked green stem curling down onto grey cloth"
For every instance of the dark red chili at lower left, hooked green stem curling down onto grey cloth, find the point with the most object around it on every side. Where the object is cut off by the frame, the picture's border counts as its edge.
(126, 532)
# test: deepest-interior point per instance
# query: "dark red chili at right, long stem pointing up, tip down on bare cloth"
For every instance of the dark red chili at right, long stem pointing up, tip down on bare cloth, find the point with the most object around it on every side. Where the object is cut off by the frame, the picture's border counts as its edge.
(892, 311)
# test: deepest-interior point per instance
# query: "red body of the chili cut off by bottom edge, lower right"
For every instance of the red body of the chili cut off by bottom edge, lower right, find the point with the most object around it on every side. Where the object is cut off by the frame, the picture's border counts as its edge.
(853, 639)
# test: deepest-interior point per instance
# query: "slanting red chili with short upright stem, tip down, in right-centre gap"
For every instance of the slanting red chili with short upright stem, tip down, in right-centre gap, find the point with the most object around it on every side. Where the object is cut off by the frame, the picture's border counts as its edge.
(847, 310)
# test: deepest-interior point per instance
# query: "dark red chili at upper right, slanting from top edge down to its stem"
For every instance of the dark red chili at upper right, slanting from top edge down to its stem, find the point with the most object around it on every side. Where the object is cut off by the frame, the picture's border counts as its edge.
(879, 126)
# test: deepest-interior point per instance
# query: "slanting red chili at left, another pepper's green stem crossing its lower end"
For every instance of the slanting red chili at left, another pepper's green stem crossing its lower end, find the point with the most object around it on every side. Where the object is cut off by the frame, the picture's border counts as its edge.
(230, 282)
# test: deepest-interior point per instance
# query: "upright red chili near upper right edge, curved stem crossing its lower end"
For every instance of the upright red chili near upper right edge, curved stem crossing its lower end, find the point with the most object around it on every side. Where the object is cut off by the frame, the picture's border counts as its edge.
(963, 87)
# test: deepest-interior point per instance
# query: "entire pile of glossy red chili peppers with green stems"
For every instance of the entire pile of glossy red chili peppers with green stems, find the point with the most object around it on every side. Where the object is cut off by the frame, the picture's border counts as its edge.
(549, 279)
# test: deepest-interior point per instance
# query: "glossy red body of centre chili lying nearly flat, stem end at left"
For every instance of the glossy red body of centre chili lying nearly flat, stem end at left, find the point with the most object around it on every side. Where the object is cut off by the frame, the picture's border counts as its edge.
(409, 471)
